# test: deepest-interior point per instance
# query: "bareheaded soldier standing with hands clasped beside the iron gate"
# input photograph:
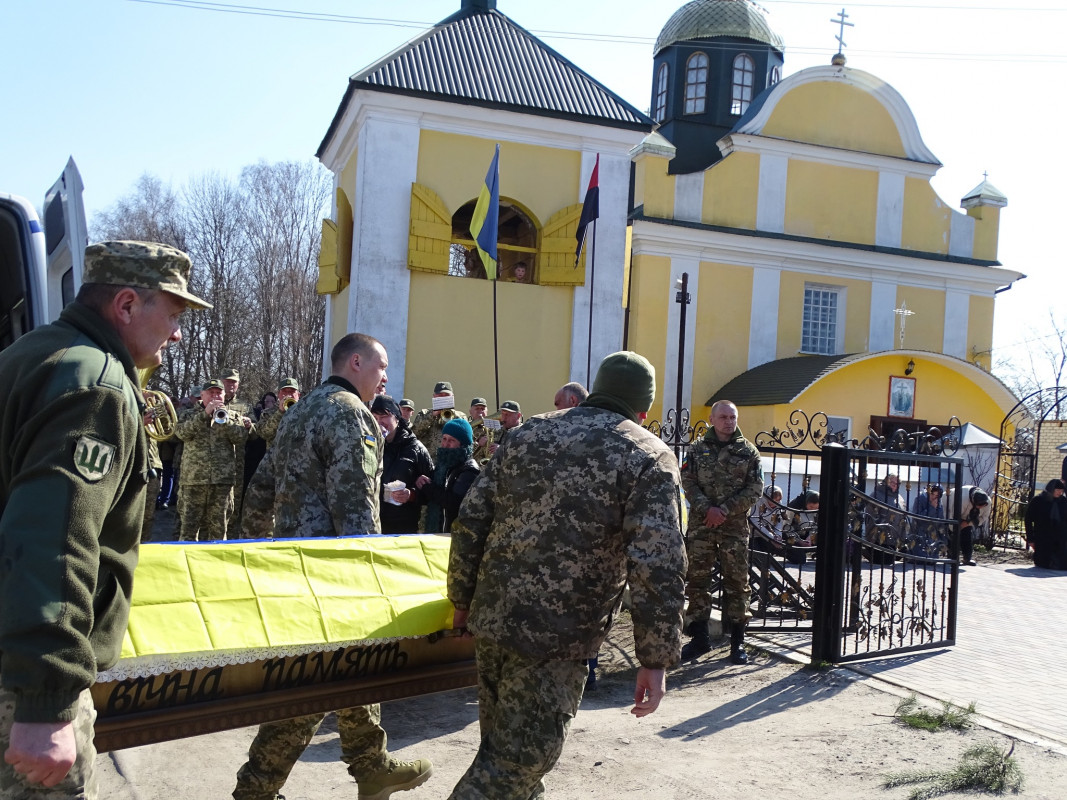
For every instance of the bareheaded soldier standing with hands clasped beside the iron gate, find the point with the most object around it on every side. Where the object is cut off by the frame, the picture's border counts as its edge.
(723, 477)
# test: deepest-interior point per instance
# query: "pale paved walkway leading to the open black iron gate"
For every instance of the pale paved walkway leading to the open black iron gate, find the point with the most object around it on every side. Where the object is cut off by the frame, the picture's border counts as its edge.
(1011, 653)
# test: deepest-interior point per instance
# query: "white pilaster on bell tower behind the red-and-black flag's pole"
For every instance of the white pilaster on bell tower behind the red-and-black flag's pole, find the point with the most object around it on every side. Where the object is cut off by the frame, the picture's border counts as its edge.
(611, 269)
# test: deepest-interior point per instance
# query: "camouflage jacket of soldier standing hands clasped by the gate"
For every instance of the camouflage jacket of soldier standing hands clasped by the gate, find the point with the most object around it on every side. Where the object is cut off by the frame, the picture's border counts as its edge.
(727, 474)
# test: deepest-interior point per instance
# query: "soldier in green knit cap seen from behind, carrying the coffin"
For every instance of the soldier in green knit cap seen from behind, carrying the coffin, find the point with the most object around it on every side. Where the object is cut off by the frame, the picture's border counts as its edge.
(574, 507)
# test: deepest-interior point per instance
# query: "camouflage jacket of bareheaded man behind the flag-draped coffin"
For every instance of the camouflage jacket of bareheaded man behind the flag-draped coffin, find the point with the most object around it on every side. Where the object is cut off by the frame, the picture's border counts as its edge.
(322, 476)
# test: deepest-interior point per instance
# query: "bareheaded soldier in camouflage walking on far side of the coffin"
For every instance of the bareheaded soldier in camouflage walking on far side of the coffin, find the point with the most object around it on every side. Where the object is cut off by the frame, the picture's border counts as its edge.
(322, 479)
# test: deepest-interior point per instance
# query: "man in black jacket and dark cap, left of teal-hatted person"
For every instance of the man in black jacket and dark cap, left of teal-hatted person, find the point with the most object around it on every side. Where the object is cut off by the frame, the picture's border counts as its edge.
(406, 459)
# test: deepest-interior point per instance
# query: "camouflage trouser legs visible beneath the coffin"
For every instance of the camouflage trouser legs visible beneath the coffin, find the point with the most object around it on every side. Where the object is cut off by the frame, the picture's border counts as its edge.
(279, 745)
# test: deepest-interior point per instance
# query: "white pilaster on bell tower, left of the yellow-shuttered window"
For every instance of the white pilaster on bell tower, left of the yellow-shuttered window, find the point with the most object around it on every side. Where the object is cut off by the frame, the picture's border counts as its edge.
(380, 281)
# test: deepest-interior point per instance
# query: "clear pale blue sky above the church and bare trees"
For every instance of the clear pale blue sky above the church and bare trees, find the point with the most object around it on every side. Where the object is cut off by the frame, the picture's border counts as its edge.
(176, 89)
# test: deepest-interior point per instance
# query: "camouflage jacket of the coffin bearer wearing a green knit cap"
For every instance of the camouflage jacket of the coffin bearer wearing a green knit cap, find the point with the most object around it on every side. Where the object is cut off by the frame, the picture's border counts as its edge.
(578, 504)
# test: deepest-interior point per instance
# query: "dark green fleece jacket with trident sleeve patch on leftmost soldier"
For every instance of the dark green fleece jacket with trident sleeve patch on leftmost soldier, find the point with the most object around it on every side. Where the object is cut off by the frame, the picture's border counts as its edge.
(73, 477)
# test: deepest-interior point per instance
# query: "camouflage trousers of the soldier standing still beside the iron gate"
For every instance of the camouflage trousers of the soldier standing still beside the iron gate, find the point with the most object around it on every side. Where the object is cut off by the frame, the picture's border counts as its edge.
(728, 546)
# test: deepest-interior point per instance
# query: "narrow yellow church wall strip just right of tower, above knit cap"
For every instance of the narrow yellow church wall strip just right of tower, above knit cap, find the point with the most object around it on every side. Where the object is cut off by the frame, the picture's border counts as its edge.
(650, 285)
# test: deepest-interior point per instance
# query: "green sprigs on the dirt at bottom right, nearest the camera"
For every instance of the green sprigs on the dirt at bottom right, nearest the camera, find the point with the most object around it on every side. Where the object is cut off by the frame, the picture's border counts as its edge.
(984, 767)
